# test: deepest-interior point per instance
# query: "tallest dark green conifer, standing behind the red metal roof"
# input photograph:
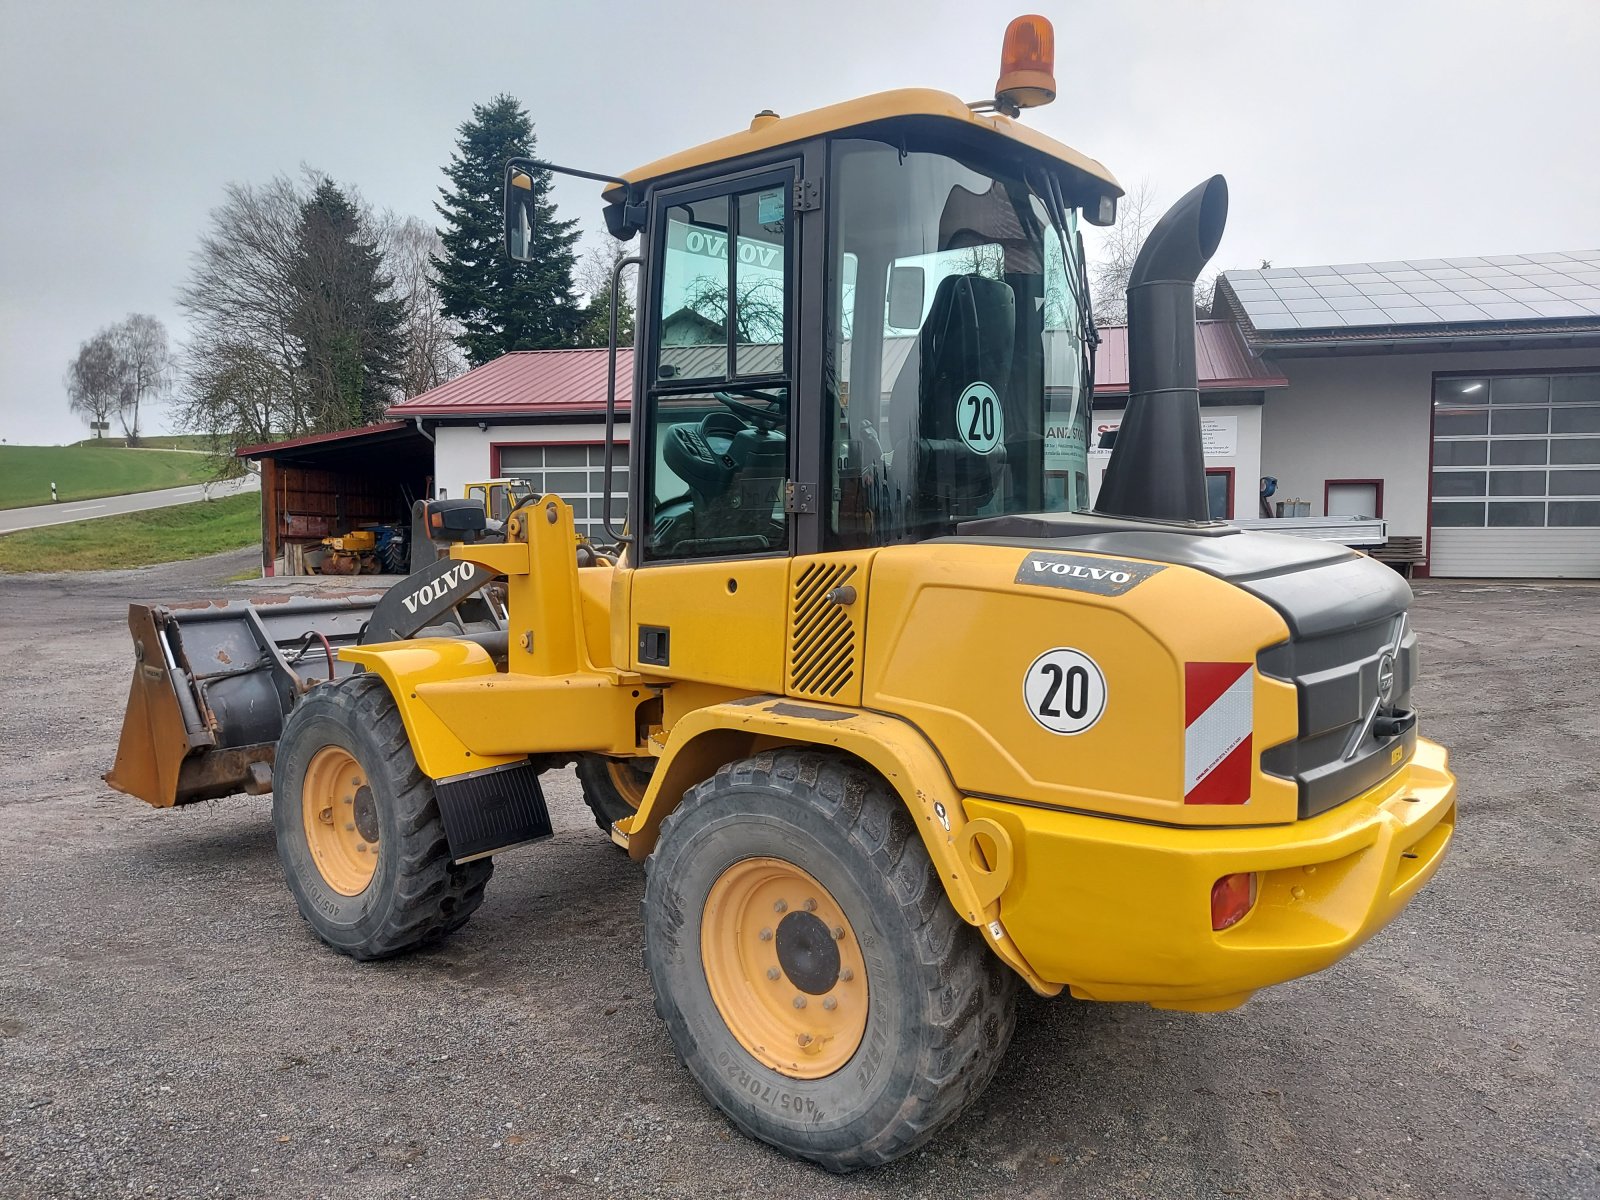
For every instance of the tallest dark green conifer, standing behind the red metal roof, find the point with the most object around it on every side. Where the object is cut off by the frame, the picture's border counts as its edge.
(502, 305)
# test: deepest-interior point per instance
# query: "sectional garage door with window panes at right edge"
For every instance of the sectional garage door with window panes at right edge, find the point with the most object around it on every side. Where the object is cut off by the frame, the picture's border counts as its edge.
(1518, 476)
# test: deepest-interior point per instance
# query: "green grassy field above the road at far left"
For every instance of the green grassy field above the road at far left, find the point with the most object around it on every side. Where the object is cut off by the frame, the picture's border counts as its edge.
(86, 473)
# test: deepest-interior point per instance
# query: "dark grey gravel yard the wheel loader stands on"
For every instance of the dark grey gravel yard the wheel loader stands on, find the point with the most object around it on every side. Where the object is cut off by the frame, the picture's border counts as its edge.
(169, 1026)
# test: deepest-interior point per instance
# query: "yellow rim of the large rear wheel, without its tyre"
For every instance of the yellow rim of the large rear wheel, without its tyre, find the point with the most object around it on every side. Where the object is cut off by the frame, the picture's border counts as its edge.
(785, 967)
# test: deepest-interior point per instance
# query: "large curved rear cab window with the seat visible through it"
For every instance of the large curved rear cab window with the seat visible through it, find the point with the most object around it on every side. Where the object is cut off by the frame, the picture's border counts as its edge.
(959, 346)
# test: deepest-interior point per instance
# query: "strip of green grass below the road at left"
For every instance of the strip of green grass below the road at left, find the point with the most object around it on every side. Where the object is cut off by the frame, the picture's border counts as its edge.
(137, 538)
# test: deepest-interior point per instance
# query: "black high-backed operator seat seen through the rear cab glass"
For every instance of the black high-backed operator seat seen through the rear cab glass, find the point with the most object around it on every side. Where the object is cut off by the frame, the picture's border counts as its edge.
(967, 338)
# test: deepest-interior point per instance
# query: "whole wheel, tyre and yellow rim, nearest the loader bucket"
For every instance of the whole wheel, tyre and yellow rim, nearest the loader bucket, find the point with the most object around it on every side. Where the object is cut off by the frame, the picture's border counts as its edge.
(369, 866)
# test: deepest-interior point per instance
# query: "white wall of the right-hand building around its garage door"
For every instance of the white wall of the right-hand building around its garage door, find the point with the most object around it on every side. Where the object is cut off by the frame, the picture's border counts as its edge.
(1370, 417)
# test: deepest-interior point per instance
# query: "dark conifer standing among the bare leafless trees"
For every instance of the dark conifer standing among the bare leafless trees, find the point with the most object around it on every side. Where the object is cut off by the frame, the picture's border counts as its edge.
(343, 316)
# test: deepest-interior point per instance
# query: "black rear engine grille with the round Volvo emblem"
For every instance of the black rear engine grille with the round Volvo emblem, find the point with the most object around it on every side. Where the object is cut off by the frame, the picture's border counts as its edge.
(1348, 735)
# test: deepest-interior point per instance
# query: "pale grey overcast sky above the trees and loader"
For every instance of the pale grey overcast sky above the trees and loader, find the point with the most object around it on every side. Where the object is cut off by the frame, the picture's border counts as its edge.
(1350, 130)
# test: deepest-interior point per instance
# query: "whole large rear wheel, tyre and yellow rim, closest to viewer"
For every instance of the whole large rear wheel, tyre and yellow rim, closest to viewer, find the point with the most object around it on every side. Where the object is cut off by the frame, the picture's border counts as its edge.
(812, 974)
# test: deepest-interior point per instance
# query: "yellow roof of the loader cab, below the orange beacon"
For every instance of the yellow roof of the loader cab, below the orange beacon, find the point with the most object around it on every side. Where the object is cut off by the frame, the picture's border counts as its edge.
(767, 134)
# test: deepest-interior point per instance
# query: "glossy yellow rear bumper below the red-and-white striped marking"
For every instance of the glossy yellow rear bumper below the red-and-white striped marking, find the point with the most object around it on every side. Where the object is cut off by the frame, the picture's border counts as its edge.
(1122, 911)
